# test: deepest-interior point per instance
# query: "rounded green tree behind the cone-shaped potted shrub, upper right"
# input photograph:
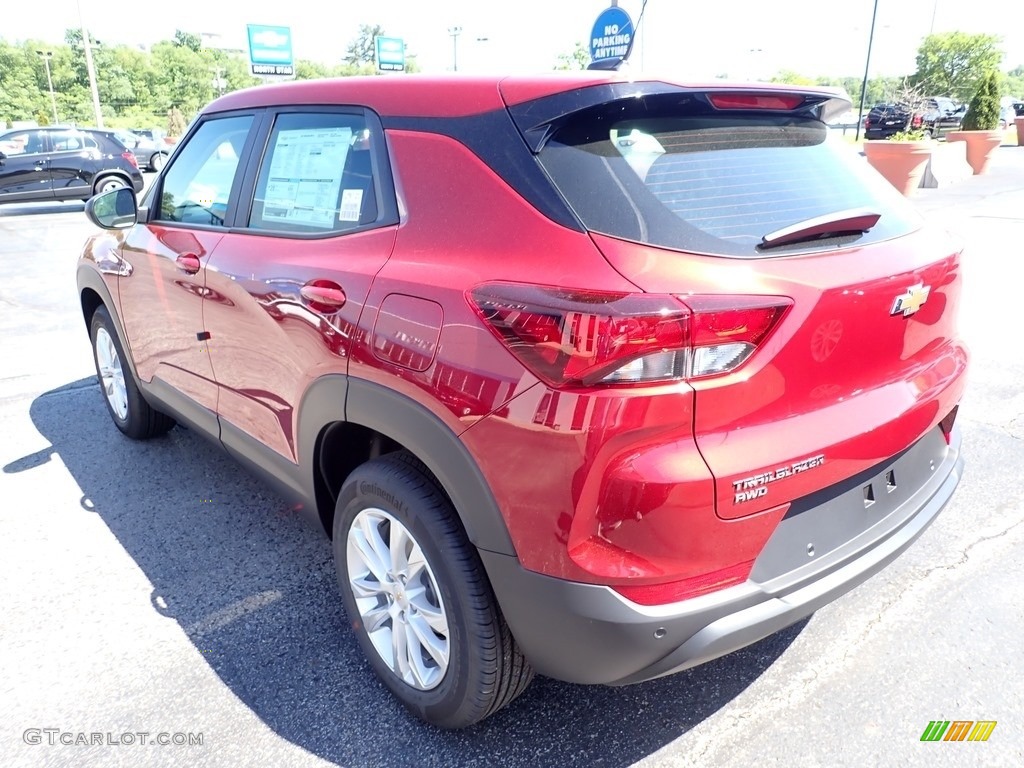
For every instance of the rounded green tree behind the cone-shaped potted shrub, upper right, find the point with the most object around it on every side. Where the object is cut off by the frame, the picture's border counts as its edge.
(955, 63)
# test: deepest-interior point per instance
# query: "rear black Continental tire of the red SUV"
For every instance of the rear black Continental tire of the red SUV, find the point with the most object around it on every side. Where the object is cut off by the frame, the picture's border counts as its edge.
(486, 670)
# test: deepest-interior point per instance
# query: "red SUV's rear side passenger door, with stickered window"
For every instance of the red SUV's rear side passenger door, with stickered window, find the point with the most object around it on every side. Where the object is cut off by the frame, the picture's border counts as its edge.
(286, 286)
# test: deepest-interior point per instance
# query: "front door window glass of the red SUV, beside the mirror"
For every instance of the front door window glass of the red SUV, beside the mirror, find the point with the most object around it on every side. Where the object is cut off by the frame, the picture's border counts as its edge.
(196, 190)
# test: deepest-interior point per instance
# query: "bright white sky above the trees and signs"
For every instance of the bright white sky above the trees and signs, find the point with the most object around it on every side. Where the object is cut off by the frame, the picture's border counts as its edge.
(688, 39)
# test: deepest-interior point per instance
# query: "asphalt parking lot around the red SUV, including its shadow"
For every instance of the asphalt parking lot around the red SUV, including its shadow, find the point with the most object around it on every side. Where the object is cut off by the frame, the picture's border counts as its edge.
(158, 589)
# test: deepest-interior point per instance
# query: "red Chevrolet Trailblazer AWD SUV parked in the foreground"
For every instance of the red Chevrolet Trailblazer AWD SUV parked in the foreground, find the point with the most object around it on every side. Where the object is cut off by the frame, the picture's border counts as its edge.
(594, 377)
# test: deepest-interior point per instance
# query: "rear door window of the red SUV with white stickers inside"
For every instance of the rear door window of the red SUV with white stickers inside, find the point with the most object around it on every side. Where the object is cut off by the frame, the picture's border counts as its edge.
(318, 176)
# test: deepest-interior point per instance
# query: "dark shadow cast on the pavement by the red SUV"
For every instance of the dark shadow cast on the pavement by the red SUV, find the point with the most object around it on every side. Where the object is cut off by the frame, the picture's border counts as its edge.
(253, 587)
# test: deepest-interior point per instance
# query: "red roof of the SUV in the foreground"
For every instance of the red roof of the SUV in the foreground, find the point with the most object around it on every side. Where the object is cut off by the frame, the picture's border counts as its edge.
(456, 96)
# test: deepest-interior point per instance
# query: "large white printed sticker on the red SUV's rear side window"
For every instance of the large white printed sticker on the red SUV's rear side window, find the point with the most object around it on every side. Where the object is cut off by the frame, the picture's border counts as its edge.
(306, 177)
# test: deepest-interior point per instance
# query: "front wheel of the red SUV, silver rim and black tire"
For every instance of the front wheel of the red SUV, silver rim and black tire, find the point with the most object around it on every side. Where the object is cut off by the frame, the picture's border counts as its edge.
(129, 409)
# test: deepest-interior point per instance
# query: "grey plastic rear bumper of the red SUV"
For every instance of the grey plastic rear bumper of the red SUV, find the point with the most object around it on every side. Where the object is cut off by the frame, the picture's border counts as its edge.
(585, 633)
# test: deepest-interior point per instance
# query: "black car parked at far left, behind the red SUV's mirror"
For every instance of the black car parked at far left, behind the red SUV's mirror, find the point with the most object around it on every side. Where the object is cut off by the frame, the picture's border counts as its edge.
(41, 164)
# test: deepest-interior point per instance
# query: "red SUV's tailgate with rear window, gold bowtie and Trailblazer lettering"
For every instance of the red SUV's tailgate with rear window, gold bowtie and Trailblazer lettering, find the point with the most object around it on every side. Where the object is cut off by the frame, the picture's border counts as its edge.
(735, 210)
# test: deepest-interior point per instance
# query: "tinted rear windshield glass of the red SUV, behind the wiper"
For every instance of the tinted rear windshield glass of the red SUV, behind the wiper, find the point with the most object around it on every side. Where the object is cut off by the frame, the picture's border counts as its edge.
(712, 184)
